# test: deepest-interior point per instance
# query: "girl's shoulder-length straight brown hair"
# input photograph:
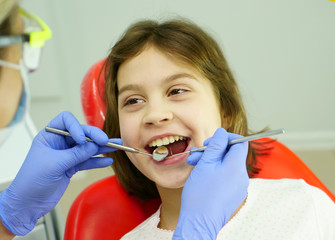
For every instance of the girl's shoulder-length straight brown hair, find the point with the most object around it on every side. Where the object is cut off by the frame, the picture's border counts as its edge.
(189, 43)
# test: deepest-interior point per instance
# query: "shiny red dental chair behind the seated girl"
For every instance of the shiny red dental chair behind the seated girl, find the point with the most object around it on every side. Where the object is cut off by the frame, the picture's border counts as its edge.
(104, 210)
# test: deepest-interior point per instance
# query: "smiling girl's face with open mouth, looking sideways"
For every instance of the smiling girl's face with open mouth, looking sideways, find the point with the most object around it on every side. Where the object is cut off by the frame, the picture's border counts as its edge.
(162, 99)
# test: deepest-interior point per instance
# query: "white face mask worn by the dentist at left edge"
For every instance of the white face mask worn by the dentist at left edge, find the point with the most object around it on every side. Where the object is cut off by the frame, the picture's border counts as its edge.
(22, 110)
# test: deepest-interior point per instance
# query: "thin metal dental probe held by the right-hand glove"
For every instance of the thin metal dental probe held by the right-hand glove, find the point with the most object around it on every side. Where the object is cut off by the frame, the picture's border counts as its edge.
(238, 140)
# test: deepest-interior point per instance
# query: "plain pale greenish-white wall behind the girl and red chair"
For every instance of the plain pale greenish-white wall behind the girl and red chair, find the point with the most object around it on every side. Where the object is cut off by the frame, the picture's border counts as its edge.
(282, 53)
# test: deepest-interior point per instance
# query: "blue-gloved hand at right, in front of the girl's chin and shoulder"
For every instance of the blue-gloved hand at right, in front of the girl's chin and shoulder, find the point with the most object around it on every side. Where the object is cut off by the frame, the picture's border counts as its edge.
(215, 188)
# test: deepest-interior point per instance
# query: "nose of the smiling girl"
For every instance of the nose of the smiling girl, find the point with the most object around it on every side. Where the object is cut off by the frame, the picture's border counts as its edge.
(157, 115)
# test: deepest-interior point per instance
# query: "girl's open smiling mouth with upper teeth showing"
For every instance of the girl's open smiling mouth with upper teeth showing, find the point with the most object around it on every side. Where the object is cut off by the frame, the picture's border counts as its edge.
(175, 144)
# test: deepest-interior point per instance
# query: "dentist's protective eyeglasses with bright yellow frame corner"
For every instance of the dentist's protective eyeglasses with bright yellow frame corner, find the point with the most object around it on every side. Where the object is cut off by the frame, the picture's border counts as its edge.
(35, 34)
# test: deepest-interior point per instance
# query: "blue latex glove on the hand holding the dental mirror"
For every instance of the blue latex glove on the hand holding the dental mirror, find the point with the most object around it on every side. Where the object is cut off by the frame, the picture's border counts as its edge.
(45, 174)
